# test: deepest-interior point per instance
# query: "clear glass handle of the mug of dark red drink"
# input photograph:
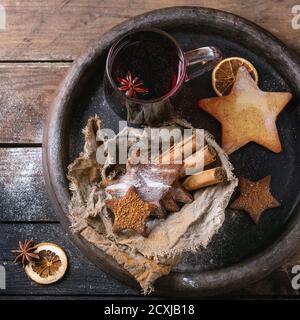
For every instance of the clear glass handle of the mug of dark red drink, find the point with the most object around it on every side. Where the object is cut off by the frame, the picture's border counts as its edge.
(200, 60)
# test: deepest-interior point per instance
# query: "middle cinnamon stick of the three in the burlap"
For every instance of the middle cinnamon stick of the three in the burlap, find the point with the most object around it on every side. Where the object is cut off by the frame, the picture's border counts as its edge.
(197, 161)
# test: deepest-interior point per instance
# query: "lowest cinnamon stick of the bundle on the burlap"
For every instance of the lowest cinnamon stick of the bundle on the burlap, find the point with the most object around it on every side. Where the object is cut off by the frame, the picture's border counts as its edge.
(205, 178)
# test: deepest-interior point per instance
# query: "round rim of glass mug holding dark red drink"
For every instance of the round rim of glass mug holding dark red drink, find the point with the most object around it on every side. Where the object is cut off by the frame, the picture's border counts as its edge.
(110, 60)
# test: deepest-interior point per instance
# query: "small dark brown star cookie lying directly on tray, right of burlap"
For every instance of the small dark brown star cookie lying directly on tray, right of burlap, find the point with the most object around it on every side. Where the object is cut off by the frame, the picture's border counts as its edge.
(255, 197)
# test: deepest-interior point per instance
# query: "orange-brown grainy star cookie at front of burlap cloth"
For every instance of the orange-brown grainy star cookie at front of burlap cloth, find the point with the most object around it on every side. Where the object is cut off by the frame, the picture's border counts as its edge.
(130, 211)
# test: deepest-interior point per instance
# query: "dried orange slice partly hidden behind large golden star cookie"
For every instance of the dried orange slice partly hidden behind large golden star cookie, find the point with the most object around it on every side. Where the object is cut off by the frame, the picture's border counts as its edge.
(224, 73)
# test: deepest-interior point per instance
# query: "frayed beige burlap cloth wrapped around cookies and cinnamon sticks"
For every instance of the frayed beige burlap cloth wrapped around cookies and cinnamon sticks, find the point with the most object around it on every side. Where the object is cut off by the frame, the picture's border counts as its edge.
(145, 258)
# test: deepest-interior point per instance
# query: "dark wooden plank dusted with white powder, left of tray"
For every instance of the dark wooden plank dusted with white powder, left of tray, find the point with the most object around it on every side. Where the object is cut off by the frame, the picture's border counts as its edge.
(23, 195)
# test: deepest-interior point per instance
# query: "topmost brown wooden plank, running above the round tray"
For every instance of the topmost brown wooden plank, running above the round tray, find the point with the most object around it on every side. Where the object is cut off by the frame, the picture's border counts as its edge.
(62, 29)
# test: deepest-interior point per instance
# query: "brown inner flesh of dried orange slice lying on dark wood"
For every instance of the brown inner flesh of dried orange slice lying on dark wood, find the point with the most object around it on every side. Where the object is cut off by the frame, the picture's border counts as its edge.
(48, 264)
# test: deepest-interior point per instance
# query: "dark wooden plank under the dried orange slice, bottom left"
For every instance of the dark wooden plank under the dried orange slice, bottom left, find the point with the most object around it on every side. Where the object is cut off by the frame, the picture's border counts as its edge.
(83, 278)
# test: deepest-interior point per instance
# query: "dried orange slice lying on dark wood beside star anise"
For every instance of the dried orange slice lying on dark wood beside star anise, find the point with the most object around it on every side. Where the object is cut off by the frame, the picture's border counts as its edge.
(51, 265)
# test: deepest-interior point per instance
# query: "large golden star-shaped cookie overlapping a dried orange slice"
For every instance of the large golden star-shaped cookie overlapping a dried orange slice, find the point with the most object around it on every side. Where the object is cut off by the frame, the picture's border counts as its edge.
(247, 114)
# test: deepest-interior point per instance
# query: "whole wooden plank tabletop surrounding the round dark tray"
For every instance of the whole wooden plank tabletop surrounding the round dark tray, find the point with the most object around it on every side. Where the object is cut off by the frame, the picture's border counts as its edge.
(38, 44)
